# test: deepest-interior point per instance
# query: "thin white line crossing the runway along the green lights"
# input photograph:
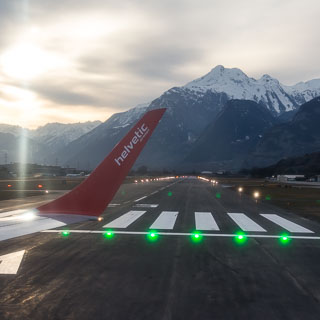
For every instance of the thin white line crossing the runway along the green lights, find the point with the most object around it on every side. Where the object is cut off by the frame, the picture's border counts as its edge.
(216, 235)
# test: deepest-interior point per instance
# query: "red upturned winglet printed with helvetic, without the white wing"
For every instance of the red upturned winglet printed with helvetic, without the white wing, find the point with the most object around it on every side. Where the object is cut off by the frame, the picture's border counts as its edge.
(93, 195)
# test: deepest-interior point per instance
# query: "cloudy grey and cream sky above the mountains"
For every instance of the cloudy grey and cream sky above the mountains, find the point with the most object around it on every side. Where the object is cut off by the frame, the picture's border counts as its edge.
(73, 60)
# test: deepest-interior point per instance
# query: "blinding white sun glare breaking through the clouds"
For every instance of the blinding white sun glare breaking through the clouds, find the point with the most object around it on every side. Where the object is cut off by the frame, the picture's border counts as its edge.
(26, 61)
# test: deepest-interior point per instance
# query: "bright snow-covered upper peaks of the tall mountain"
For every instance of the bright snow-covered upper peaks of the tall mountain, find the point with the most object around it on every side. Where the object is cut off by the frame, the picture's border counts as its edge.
(268, 91)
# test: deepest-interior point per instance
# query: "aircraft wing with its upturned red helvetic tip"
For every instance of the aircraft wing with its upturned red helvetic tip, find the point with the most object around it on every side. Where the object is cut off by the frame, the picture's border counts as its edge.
(88, 200)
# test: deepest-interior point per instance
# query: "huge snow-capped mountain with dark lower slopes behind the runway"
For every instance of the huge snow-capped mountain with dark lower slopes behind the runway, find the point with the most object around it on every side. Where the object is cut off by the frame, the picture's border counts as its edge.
(223, 120)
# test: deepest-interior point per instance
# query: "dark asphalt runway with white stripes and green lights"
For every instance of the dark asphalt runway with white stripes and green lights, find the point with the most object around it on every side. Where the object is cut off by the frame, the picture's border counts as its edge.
(88, 274)
